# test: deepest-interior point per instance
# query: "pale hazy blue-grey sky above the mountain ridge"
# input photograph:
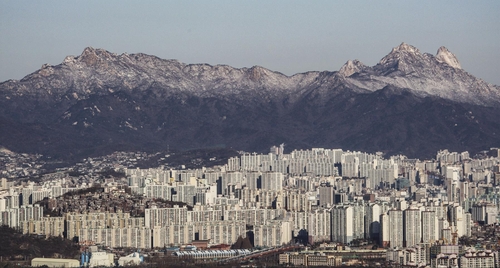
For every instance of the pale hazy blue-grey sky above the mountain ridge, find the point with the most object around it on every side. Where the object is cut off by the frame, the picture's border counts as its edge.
(285, 36)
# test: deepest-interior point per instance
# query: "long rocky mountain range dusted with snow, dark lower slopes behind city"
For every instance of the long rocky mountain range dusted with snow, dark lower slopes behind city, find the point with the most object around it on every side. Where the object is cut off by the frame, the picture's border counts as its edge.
(409, 103)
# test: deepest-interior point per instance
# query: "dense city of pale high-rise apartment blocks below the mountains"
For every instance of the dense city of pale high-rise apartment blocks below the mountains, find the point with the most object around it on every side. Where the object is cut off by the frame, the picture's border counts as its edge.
(317, 207)
